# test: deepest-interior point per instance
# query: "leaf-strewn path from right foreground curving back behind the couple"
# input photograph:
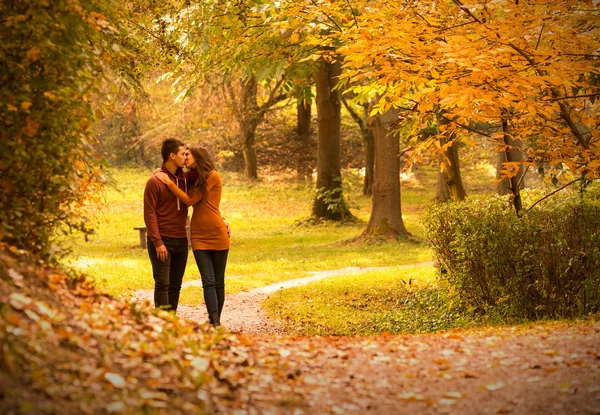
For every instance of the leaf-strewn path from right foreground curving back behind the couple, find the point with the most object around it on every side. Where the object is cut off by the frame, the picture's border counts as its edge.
(551, 368)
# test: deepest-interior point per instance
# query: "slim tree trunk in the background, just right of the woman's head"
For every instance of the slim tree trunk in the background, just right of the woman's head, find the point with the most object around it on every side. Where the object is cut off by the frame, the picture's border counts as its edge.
(249, 119)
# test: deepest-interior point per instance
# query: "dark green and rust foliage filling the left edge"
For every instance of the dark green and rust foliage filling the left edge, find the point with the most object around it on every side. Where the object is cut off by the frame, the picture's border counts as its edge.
(54, 54)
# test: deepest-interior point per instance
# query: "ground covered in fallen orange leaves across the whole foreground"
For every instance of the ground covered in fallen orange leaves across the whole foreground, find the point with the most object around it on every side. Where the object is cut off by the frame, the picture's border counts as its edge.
(67, 348)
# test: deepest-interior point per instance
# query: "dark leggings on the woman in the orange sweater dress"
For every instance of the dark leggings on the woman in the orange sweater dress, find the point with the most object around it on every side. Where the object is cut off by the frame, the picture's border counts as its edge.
(212, 270)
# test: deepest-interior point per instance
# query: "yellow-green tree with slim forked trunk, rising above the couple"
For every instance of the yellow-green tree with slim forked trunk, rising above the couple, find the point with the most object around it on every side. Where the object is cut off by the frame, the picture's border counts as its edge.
(237, 43)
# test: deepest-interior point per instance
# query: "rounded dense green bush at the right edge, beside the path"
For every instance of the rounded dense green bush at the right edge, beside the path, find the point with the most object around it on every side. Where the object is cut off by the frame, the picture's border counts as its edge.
(544, 264)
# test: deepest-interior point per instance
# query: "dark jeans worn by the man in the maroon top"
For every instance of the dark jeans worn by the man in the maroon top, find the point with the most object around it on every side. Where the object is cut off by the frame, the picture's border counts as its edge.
(168, 275)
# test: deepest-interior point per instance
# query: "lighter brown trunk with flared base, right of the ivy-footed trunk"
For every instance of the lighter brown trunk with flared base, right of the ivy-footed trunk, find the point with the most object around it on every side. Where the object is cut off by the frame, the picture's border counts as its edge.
(386, 215)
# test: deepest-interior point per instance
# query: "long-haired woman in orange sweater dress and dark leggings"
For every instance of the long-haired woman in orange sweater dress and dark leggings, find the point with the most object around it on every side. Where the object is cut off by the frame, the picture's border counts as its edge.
(209, 231)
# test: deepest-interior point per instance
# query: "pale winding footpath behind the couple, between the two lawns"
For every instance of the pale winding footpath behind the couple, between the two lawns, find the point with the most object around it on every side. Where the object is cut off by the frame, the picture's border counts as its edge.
(242, 312)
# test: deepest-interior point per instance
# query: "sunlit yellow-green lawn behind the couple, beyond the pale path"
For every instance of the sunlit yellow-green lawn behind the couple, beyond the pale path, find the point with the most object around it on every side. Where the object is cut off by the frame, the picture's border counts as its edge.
(268, 243)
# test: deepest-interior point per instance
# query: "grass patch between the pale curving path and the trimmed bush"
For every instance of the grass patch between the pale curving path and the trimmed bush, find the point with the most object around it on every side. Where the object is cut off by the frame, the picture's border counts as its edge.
(395, 300)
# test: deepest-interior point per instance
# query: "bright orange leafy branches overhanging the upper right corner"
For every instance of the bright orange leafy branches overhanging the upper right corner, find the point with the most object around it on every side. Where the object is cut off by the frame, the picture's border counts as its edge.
(529, 66)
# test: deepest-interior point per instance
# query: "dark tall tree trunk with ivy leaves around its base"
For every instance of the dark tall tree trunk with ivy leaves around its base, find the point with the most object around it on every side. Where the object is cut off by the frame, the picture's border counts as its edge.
(329, 202)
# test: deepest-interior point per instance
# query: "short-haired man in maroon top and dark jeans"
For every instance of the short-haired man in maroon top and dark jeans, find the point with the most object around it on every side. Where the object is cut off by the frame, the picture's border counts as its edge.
(166, 218)
